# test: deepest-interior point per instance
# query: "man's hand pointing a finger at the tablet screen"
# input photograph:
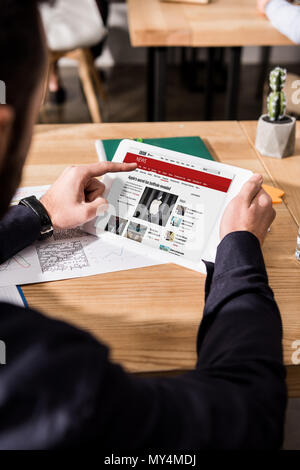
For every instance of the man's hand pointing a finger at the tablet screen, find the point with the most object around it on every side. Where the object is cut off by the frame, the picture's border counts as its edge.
(77, 196)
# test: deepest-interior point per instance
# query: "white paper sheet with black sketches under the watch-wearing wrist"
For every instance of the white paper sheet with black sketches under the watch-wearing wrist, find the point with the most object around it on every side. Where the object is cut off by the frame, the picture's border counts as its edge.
(68, 254)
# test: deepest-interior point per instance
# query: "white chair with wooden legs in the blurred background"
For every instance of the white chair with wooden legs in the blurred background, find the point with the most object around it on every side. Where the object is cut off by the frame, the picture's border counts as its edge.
(72, 28)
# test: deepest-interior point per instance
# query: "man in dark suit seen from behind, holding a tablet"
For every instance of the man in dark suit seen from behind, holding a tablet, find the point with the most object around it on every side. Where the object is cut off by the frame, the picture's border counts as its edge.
(59, 387)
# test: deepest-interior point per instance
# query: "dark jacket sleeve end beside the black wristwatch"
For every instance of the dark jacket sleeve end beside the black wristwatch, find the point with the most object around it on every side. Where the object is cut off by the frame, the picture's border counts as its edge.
(19, 228)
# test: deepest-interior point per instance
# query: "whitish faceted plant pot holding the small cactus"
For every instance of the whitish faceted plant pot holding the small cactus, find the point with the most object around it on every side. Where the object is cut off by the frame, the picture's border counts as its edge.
(276, 139)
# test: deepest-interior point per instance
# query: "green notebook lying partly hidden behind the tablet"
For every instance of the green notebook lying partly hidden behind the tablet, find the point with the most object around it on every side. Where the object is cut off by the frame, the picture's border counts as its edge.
(190, 145)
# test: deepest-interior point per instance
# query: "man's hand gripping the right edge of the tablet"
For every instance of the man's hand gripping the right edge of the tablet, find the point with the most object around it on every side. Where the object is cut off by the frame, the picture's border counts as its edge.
(250, 210)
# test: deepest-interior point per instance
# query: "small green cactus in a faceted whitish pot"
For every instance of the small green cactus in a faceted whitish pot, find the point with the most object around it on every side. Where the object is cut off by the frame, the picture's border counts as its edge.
(275, 135)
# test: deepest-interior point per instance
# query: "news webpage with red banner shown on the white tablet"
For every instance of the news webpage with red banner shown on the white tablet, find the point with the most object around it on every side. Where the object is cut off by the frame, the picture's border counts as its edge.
(167, 204)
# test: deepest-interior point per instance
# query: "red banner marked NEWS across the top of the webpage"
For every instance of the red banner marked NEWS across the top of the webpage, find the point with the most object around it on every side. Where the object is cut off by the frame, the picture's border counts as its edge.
(179, 172)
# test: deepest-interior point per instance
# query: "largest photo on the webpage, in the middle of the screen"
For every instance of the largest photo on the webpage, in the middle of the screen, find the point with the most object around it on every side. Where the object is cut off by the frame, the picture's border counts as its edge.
(155, 206)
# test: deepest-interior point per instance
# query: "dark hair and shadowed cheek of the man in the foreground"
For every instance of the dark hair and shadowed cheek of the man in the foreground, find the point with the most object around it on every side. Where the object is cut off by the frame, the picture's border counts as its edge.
(22, 61)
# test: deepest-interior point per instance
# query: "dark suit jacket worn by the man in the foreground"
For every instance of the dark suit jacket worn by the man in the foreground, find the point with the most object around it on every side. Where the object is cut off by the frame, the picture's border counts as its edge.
(59, 387)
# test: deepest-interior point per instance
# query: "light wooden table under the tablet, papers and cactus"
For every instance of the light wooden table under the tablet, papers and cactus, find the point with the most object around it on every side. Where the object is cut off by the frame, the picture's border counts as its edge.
(149, 317)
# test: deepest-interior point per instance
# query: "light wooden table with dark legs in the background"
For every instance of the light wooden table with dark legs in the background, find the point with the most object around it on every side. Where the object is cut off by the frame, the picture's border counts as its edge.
(222, 23)
